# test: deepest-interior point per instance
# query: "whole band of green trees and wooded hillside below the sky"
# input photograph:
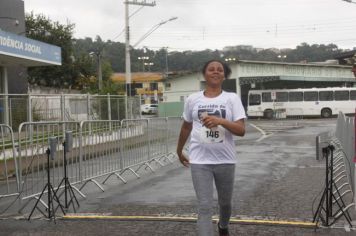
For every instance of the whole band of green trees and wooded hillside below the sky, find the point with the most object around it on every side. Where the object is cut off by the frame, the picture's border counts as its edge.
(80, 57)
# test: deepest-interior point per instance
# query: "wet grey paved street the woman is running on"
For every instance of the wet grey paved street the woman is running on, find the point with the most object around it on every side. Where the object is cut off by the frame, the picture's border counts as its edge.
(277, 177)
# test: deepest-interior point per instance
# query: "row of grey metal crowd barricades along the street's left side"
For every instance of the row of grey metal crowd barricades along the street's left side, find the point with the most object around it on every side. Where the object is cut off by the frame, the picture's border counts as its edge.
(101, 149)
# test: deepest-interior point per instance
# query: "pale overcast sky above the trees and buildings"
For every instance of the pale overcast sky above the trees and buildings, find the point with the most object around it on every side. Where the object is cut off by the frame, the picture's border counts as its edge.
(209, 24)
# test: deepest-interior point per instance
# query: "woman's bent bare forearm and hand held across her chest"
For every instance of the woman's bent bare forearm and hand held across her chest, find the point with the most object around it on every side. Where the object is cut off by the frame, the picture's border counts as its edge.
(235, 127)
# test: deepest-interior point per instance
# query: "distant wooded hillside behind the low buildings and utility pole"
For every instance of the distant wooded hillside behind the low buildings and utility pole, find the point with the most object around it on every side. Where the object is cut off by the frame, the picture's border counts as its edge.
(114, 52)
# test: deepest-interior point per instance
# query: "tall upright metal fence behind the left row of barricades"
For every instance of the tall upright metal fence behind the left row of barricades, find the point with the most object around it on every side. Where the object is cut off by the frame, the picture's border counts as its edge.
(18, 108)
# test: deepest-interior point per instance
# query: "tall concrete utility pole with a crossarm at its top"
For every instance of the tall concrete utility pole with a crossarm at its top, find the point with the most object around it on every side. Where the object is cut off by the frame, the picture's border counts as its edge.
(127, 40)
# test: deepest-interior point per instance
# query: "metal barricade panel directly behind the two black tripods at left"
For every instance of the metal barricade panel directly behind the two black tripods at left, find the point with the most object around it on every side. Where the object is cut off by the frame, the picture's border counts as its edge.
(33, 138)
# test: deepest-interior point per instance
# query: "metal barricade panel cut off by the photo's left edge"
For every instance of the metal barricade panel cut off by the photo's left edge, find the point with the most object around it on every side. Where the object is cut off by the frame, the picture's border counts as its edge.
(9, 183)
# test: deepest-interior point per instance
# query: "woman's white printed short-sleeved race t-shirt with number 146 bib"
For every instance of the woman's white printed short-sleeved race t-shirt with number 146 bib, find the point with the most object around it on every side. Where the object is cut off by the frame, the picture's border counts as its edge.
(215, 146)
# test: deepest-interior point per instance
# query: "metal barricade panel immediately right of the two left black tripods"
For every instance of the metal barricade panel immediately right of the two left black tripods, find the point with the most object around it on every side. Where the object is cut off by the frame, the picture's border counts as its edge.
(99, 149)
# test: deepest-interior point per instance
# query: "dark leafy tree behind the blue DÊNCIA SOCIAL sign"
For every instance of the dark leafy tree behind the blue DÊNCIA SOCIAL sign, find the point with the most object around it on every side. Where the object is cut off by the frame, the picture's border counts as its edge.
(72, 70)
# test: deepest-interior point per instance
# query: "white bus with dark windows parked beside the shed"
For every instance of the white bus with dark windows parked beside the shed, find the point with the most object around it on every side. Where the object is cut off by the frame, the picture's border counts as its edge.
(323, 102)
